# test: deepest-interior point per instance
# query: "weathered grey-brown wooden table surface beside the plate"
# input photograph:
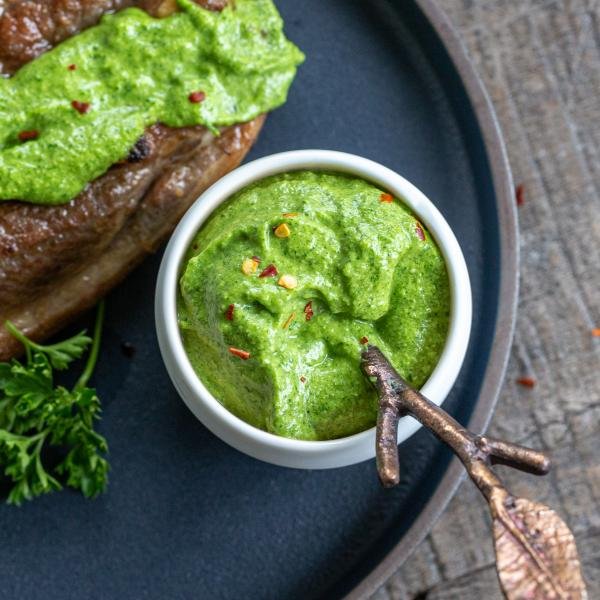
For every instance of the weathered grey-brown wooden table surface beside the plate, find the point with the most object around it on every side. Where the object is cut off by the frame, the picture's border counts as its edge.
(540, 61)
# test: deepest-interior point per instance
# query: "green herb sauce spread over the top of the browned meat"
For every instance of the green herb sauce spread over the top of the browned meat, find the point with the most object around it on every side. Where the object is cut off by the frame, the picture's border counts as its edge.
(70, 114)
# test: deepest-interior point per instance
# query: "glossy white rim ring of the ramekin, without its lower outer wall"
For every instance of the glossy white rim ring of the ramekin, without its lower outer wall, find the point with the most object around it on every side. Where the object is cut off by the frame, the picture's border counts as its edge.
(439, 383)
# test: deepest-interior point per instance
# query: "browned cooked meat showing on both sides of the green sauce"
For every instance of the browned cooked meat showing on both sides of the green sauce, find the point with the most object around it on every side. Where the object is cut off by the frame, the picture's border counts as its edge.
(57, 261)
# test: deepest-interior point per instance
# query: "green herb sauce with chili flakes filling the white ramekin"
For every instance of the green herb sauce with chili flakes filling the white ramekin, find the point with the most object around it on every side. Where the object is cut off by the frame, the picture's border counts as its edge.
(342, 264)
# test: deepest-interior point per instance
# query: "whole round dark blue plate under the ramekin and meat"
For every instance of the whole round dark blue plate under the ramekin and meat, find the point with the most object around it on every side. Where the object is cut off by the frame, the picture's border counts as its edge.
(186, 516)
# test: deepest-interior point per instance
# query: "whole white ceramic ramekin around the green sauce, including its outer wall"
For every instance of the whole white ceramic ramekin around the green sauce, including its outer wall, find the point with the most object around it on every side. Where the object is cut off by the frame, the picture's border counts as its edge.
(246, 438)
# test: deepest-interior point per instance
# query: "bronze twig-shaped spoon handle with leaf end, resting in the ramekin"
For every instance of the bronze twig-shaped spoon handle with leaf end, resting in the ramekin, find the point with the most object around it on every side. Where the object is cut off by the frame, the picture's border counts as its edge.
(536, 555)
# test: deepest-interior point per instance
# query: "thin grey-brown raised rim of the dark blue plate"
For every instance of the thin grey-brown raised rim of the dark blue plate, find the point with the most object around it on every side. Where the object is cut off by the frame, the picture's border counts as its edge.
(508, 296)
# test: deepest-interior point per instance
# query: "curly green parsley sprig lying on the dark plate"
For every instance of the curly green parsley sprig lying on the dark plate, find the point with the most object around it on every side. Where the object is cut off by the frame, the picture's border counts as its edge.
(36, 415)
